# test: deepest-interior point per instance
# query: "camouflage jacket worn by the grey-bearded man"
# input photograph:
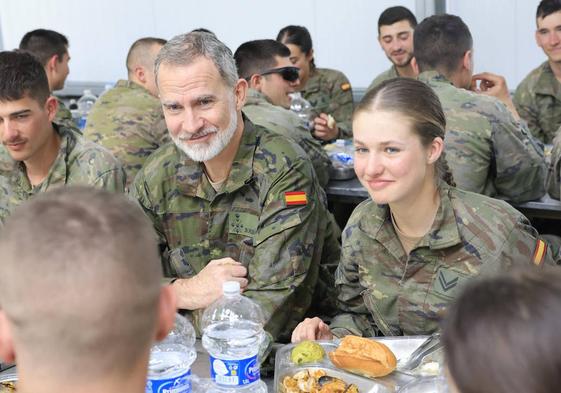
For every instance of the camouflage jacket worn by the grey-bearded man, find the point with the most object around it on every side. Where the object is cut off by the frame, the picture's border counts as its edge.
(270, 215)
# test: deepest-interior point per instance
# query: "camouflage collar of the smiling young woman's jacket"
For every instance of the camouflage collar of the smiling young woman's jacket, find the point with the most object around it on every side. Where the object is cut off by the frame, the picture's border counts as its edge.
(444, 232)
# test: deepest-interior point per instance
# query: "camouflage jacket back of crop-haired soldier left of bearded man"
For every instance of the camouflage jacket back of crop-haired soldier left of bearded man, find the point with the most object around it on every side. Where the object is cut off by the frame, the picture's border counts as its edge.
(128, 121)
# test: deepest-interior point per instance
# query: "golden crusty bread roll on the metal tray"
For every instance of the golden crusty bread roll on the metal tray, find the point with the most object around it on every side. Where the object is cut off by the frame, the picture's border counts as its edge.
(364, 356)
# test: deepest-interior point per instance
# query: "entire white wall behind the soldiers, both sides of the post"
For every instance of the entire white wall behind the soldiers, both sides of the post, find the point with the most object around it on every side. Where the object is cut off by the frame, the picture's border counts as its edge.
(344, 32)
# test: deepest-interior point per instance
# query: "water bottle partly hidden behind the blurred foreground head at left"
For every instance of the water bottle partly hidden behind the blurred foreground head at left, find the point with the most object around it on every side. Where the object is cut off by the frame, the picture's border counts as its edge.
(169, 369)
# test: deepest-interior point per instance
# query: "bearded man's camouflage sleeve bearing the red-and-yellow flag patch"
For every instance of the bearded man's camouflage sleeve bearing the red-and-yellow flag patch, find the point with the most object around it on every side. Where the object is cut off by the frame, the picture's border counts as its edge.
(286, 248)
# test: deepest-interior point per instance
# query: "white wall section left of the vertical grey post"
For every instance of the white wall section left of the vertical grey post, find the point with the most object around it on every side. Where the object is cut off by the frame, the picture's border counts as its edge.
(101, 31)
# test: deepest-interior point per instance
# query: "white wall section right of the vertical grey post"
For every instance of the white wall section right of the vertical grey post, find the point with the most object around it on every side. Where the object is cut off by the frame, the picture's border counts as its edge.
(503, 35)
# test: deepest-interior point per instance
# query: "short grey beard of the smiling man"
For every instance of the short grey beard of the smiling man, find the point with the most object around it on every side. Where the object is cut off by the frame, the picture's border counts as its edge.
(207, 151)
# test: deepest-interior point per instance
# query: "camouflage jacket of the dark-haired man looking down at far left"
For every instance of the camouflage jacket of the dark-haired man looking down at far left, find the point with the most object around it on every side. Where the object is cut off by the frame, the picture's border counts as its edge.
(79, 162)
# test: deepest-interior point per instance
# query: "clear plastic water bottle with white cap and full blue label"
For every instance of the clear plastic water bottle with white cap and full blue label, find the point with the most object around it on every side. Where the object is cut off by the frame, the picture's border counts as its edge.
(232, 335)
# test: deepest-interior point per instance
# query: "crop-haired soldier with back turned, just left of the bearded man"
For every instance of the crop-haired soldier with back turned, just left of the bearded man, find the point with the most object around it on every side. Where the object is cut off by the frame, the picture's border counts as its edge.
(128, 119)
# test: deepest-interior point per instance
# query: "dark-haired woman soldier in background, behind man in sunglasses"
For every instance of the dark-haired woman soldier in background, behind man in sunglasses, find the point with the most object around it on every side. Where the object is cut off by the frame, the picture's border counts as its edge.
(329, 91)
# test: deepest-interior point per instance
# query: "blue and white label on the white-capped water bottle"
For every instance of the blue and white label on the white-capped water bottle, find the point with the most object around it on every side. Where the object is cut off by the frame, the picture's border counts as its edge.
(238, 372)
